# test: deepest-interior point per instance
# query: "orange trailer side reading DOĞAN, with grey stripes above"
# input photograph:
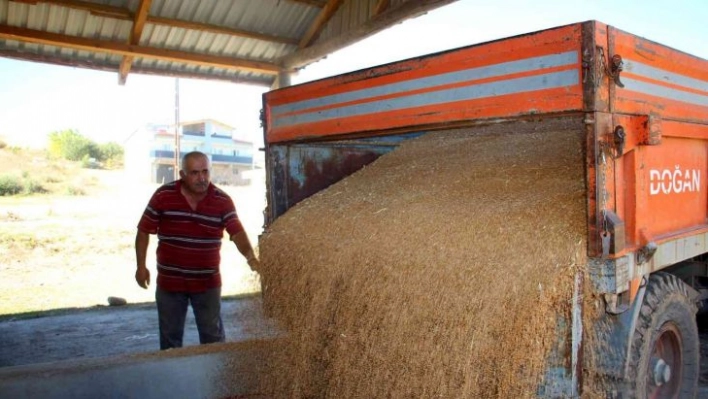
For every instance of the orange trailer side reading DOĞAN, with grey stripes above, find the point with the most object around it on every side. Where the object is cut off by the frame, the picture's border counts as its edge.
(658, 184)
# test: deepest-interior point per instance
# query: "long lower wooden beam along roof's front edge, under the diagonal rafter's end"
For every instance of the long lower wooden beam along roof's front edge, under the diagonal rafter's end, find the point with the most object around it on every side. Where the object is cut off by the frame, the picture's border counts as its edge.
(94, 45)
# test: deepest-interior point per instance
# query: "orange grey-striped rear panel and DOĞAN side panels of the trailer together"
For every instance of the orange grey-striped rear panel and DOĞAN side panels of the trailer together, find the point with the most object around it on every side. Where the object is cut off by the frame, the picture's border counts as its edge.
(656, 187)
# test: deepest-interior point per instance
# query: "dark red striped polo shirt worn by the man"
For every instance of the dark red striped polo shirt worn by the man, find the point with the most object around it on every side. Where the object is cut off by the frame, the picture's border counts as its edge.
(189, 240)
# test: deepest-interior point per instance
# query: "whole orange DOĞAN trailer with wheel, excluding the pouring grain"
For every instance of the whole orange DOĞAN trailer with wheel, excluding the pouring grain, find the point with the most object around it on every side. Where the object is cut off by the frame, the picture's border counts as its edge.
(644, 108)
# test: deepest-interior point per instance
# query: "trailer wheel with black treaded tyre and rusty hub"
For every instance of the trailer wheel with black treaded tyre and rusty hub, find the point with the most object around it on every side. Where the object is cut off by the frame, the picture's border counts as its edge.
(664, 360)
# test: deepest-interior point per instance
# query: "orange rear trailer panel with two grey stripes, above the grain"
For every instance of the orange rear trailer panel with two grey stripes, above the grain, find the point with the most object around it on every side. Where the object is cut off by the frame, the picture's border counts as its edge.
(473, 83)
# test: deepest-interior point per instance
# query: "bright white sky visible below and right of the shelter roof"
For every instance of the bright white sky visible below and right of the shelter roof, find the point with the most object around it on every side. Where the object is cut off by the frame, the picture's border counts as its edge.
(36, 99)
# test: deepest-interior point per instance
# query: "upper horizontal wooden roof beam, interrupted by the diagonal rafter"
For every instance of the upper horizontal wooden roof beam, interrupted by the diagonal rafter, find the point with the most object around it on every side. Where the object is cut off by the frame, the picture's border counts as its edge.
(127, 15)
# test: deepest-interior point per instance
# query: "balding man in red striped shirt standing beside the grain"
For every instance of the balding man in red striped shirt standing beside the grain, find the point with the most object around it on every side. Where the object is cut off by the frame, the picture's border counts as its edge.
(189, 217)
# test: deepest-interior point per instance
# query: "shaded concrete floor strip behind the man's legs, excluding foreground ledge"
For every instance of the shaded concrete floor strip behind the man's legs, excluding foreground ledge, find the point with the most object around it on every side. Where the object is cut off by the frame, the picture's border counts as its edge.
(116, 331)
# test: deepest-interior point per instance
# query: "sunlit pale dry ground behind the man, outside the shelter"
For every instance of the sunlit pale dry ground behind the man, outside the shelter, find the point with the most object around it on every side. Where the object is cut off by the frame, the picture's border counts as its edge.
(63, 251)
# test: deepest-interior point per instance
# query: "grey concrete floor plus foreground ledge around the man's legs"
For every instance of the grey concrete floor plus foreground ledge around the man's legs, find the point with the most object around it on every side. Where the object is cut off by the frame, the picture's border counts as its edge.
(113, 353)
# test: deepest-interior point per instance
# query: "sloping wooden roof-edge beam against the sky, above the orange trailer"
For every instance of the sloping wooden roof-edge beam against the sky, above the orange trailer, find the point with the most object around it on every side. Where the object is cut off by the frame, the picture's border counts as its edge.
(409, 9)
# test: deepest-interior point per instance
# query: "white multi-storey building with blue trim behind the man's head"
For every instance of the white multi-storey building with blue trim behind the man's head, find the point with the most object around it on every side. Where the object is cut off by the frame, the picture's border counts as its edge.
(149, 152)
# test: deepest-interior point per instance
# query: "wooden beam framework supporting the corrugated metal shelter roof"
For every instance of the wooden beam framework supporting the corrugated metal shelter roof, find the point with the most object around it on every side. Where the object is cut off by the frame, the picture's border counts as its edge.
(295, 52)
